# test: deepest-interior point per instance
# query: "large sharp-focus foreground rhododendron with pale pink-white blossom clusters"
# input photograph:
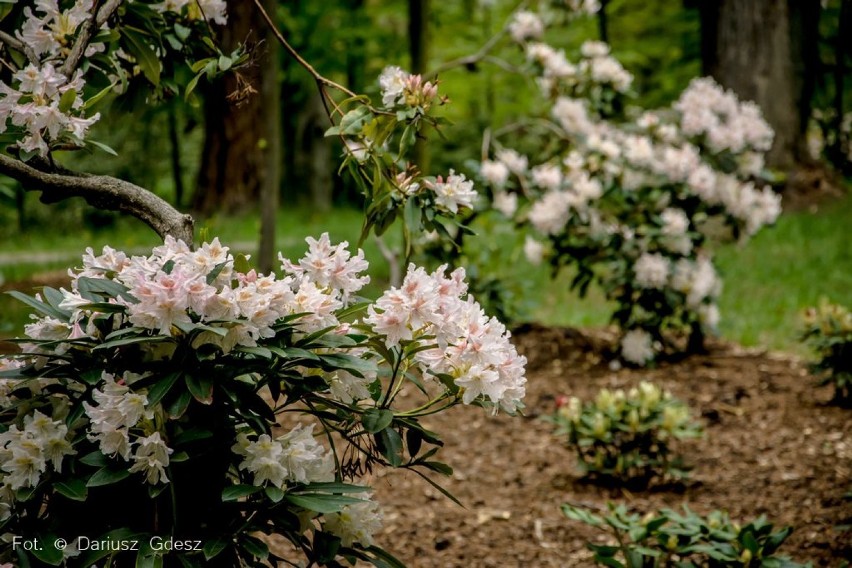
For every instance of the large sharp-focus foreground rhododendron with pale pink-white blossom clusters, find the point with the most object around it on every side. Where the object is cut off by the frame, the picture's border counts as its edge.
(183, 395)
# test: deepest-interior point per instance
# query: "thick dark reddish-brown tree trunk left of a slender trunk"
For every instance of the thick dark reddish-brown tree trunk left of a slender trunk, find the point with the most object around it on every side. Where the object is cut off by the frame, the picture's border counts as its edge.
(231, 170)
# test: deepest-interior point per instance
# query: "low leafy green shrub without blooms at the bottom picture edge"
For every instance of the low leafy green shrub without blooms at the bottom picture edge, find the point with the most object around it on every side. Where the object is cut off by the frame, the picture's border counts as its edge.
(668, 539)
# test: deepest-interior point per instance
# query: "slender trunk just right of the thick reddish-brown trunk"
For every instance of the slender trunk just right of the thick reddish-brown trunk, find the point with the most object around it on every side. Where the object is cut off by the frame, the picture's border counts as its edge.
(270, 99)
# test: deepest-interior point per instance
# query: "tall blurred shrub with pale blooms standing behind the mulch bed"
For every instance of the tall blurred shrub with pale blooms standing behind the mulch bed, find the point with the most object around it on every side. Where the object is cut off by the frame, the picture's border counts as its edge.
(633, 199)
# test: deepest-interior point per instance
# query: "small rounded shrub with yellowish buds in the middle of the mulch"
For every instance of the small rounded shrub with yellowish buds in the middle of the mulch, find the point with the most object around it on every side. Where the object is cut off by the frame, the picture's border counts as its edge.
(626, 436)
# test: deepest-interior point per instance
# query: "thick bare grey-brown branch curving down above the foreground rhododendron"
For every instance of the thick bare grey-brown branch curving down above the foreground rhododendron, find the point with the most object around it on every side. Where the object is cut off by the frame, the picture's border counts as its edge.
(103, 192)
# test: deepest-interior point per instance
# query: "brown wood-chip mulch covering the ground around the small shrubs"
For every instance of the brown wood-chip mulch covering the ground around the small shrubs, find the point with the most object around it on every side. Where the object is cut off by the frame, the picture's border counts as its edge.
(773, 446)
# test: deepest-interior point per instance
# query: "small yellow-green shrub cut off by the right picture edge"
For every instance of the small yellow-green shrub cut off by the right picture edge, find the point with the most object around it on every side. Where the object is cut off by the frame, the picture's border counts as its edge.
(827, 330)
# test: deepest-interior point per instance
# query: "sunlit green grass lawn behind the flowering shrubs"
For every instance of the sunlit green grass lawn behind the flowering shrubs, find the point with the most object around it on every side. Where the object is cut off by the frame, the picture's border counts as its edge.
(767, 281)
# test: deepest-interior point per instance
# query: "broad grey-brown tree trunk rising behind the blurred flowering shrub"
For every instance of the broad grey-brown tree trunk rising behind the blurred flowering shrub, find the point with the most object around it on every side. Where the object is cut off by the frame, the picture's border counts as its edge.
(749, 46)
